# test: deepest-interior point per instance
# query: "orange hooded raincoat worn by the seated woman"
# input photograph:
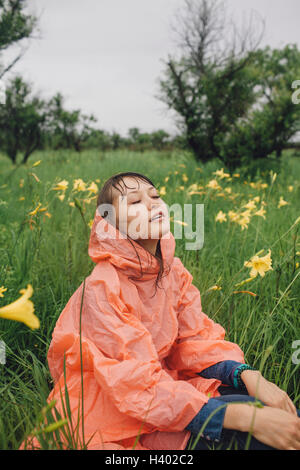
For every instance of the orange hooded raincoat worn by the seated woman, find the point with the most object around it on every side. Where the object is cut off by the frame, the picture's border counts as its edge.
(140, 354)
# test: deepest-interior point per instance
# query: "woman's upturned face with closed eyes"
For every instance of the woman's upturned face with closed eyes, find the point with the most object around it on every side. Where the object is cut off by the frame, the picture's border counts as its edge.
(137, 208)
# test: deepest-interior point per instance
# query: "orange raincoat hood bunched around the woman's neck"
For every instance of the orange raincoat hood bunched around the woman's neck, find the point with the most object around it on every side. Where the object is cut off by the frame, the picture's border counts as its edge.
(108, 243)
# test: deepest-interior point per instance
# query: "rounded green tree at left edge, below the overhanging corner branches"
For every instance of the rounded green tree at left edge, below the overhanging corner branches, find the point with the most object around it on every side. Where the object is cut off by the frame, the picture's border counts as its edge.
(22, 120)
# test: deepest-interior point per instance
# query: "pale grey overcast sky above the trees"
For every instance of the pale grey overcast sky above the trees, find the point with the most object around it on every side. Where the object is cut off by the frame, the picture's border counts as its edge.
(105, 56)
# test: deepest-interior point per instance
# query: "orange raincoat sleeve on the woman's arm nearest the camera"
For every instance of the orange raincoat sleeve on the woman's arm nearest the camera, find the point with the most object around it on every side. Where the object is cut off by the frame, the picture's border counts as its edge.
(120, 351)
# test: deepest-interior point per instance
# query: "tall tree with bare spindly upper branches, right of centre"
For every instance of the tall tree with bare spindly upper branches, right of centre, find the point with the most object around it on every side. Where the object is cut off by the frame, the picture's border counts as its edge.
(209, 87)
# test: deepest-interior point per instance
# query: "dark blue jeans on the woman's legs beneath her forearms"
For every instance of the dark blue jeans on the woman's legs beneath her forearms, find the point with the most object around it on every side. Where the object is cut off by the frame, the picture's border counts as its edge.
(231, 439)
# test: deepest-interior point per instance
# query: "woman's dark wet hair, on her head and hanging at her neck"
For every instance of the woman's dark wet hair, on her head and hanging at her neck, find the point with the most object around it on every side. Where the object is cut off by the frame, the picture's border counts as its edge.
(105, 196)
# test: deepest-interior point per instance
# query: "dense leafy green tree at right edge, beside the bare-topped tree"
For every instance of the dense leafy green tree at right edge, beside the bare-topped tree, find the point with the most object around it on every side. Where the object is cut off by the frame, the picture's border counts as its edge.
(274, 119)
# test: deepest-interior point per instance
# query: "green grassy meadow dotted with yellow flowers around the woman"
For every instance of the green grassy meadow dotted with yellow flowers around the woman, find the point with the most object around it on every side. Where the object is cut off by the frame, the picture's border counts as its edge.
(46, 210)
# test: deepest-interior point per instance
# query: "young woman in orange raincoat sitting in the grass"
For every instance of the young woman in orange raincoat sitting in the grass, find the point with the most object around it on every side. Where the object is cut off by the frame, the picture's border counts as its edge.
(154, 365)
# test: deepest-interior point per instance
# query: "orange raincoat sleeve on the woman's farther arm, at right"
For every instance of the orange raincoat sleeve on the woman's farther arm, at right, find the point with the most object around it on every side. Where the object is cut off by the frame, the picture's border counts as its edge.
(200, 342)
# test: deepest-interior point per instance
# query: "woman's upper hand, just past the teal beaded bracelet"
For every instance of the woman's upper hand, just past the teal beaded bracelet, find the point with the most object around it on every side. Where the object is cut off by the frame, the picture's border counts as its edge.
(259, 387)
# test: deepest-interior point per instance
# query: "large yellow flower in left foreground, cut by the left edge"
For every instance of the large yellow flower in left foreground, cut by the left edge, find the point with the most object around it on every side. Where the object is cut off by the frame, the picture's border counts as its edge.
(22, 309)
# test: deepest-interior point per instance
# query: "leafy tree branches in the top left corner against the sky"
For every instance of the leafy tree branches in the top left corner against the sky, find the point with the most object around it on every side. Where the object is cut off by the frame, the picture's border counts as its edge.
(15, 25)
